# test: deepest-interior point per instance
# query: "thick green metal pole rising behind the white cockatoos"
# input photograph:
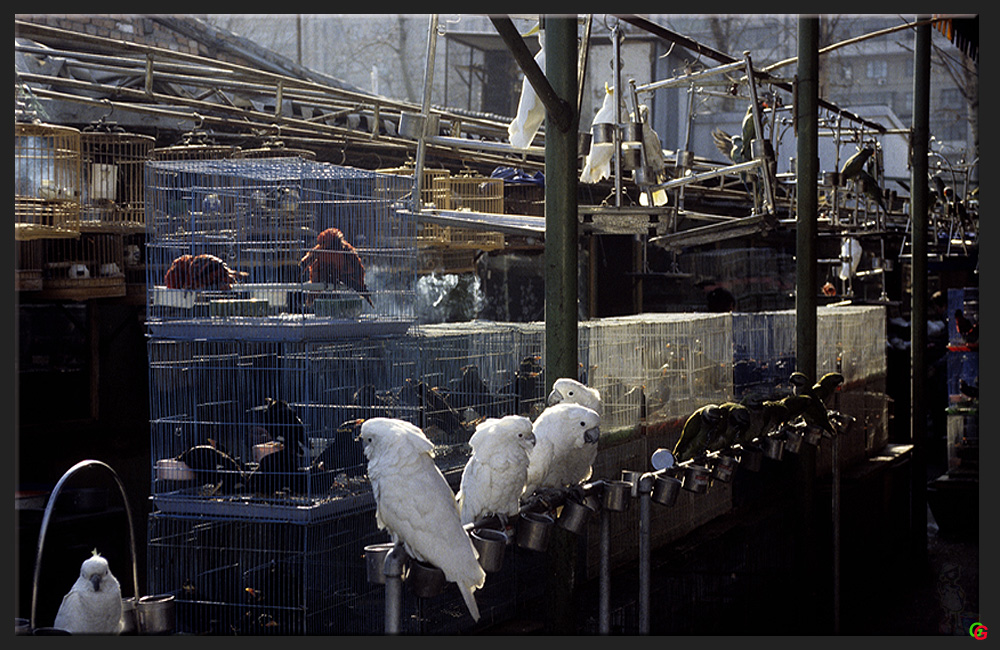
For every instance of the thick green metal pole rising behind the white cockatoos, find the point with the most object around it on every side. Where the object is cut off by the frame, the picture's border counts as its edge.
(561, 278)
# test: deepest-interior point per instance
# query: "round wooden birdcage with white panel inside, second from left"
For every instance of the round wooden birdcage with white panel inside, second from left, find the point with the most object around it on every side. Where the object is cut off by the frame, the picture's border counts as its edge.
(112, 186)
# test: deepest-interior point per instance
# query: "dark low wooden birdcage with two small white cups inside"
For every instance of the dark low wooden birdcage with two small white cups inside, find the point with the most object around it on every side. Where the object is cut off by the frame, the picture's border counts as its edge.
(89, 266)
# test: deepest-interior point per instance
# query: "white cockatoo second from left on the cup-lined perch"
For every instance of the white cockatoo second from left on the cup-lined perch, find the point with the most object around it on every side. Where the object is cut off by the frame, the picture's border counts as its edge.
(494, 476)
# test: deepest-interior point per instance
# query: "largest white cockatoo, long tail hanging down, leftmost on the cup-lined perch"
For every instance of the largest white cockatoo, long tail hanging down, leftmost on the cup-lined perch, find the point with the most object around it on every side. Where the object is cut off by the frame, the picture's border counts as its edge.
(415, 504)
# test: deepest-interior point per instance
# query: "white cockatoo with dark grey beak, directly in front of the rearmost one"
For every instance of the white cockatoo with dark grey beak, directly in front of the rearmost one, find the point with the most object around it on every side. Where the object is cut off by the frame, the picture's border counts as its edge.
(566, 438)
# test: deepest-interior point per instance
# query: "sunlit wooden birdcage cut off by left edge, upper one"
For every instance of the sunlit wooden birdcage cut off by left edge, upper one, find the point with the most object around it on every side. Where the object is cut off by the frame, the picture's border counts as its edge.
(46, 181)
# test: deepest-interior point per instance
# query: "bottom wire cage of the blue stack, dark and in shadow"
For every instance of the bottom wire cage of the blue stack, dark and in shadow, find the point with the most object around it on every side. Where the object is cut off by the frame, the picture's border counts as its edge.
(254, 576)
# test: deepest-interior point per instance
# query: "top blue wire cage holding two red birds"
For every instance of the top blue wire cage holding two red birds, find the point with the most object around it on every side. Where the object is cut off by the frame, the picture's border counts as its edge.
(264, 240)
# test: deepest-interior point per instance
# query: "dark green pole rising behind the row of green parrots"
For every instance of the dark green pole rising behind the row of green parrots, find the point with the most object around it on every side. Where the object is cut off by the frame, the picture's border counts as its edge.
(806, 128)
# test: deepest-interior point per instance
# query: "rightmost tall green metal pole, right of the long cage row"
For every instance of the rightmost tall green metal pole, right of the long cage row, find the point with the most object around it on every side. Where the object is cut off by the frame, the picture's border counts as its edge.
(918, 286)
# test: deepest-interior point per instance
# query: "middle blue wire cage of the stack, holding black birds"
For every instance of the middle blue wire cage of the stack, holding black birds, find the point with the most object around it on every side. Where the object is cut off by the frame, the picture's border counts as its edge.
(269, 424)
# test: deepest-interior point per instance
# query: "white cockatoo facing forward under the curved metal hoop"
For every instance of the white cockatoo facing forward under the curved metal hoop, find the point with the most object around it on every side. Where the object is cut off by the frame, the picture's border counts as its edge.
(94, 604)
